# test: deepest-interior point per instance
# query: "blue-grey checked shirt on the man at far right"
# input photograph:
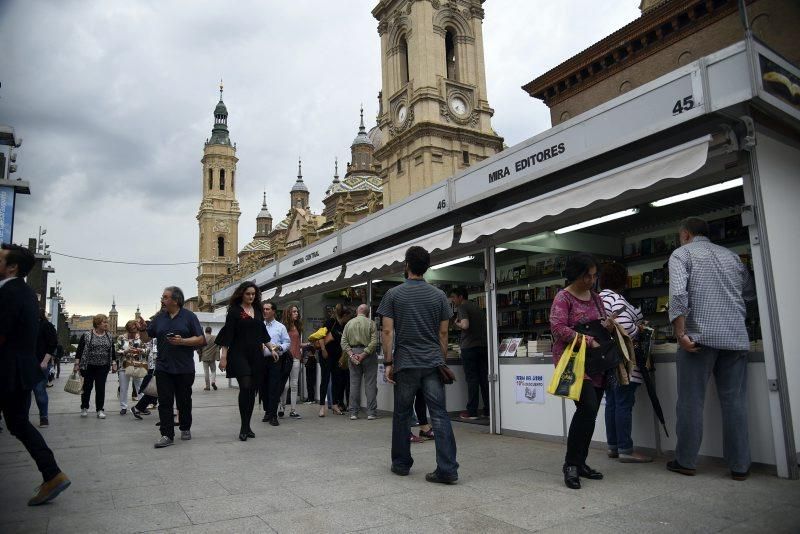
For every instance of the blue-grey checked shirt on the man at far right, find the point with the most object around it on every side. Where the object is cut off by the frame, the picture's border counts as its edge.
(708, 285)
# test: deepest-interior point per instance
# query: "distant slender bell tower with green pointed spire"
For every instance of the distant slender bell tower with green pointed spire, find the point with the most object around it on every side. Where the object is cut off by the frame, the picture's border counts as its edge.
(219, 212)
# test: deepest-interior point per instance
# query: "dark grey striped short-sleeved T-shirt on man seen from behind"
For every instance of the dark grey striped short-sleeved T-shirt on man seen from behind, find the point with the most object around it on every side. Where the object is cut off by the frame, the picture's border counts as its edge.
(417, 309)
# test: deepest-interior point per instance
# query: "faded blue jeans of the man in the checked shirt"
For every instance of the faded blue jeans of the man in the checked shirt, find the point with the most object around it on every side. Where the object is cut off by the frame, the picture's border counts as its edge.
(730, 374)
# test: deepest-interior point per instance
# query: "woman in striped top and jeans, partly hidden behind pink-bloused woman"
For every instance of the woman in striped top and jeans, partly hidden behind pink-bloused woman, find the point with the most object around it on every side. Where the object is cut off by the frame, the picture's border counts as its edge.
(620, 397)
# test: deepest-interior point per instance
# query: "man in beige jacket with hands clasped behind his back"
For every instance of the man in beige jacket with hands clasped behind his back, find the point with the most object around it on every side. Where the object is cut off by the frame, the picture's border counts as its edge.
(359, 343)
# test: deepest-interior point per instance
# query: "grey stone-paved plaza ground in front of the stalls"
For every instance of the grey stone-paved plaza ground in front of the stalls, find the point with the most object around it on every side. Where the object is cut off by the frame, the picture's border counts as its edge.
(332, 475)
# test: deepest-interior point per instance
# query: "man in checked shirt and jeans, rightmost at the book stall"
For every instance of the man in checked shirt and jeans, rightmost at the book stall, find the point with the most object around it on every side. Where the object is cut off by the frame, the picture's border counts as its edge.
(708, 287)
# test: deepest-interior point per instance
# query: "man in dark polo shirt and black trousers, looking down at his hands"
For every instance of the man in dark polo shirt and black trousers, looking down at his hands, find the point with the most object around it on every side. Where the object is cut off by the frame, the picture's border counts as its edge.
(177, 332)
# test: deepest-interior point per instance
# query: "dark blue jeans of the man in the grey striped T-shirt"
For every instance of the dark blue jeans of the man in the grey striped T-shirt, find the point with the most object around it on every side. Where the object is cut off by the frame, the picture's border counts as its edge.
(408, 381)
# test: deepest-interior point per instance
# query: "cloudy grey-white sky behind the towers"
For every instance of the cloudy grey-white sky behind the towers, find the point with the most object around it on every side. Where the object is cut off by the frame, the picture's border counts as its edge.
(114, 101)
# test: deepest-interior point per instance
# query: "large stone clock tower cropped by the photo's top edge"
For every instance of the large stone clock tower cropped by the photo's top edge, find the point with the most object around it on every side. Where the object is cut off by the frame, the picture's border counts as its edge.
(434, 113)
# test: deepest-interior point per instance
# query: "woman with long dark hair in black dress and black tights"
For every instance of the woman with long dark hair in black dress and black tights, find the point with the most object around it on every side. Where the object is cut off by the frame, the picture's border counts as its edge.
(244, 338)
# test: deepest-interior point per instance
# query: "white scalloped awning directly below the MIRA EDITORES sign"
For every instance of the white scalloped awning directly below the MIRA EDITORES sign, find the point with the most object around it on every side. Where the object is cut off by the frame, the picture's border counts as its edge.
(676, 162)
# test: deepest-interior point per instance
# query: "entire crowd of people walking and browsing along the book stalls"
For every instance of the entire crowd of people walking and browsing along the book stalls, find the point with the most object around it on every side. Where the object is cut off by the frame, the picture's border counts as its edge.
(708, 289)
